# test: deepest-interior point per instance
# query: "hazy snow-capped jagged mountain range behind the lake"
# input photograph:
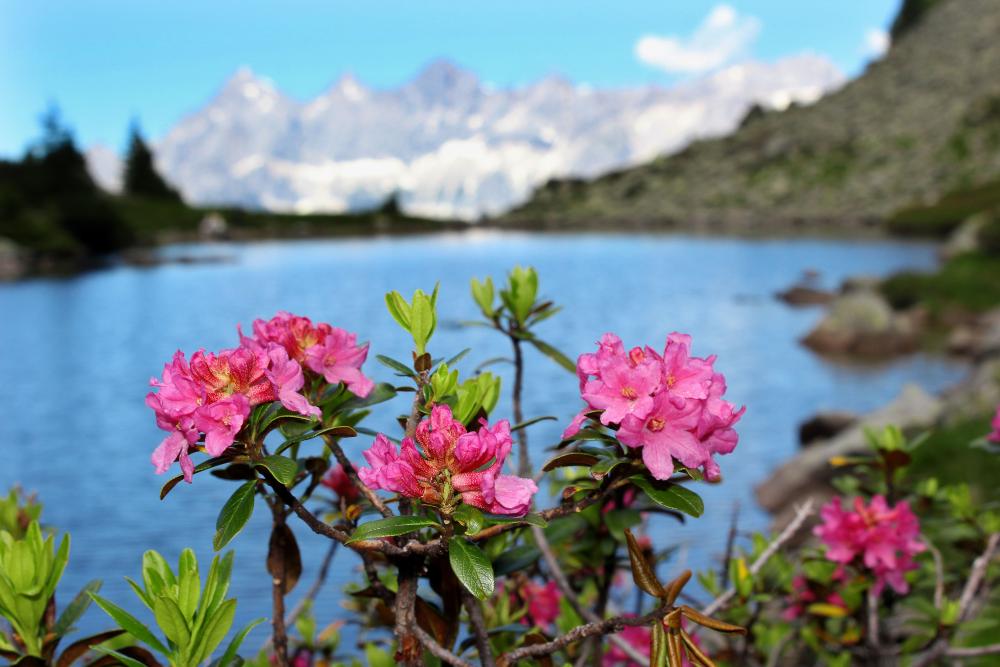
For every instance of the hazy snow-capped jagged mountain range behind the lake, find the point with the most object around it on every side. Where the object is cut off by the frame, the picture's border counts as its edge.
(449, 144)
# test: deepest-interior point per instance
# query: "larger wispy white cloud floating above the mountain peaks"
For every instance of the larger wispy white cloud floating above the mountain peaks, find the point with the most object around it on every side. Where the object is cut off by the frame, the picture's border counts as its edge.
(723, 36)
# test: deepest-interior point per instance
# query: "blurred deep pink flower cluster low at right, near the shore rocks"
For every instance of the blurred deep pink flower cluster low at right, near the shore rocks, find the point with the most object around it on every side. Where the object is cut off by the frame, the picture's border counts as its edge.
(884, 539)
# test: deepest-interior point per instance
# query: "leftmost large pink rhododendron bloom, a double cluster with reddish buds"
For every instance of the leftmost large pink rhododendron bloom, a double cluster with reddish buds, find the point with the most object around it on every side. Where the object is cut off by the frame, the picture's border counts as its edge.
(213, 393)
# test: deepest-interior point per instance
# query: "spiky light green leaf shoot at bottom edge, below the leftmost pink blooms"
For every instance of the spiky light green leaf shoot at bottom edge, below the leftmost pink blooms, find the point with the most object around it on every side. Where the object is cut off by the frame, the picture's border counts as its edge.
(194, 619)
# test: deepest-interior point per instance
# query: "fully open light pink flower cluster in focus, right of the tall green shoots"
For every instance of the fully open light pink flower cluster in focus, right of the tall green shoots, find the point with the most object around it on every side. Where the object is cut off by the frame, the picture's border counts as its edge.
(668, 404)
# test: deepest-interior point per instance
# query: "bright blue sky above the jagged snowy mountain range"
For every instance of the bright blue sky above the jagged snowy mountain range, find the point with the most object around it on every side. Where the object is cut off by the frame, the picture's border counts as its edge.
(106, 61)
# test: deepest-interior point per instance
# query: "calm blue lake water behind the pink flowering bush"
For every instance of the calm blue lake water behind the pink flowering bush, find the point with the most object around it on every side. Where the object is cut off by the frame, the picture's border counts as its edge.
(76, 355)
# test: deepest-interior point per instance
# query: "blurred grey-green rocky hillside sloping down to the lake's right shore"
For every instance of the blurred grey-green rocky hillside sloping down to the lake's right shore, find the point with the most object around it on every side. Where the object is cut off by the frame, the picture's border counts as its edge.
(920, 123)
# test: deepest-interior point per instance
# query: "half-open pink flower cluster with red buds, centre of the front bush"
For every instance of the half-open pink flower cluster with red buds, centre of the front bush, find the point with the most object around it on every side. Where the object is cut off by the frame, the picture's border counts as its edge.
(450, 458)
